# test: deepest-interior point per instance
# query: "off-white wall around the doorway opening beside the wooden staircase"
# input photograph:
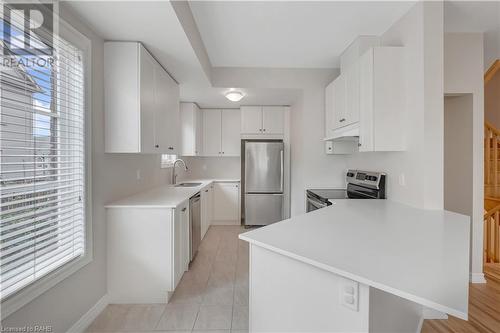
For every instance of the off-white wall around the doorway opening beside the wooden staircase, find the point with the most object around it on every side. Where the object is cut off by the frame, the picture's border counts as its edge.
(464, 74)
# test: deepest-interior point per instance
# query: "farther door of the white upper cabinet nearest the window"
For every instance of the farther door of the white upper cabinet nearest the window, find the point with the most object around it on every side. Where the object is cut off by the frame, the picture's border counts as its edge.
(167, 113)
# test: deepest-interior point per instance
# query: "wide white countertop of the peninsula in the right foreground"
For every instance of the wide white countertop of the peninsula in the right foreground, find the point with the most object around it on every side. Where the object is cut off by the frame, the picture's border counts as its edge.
(420, 255)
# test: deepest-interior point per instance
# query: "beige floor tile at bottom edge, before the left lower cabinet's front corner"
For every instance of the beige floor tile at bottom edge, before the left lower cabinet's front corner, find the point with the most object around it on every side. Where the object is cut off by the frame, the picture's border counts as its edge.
(178, 317)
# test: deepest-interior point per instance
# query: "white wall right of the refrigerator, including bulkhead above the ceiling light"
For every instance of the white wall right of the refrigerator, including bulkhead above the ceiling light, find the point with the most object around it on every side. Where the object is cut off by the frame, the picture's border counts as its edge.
(310, 166)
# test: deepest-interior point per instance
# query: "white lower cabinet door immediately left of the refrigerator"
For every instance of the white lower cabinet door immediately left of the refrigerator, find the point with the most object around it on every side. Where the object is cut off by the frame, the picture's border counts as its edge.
(226, 196)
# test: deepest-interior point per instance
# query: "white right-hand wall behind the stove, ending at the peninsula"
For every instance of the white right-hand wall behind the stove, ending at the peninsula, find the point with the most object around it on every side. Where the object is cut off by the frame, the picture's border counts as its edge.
(421, 164)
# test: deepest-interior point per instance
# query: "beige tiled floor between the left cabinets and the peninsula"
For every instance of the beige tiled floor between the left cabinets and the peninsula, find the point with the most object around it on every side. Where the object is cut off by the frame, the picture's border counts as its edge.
(212, 296)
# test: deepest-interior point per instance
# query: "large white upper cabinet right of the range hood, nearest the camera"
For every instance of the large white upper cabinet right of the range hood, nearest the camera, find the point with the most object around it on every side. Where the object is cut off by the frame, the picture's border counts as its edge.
(382, 100)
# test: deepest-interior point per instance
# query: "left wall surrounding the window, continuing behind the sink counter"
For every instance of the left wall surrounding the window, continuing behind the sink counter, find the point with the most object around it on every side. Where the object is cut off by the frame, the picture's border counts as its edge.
(114, 176)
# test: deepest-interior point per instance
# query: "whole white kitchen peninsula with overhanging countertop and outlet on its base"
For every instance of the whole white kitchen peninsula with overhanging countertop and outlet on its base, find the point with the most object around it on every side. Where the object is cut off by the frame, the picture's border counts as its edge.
(358, 266)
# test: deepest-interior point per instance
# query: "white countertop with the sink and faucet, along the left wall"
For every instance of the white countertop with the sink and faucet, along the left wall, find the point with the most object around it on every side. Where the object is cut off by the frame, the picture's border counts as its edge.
(166, 196)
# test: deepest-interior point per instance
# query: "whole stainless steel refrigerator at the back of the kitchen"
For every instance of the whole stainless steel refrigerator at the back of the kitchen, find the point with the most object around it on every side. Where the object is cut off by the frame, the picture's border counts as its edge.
(263, 181)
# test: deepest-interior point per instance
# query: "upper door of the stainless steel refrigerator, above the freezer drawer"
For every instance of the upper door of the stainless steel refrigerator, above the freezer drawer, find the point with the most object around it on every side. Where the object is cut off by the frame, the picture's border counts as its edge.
(264, 167)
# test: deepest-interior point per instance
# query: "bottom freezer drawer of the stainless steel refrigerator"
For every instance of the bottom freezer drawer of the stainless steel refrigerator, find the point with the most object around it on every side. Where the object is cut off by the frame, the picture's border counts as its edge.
(263, 209)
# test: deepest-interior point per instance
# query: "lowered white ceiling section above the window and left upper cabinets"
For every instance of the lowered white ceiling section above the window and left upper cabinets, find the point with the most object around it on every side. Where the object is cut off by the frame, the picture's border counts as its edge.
(154, 23)
